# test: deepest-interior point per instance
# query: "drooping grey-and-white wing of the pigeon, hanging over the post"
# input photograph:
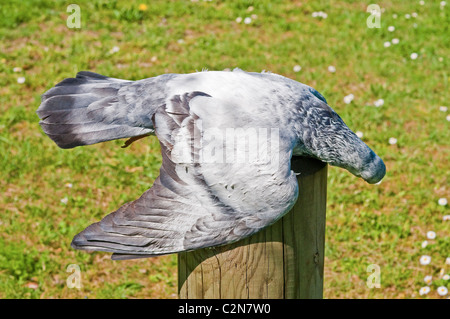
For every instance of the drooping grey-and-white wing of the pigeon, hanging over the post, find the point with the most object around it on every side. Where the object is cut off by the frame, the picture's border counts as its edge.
(201, 199)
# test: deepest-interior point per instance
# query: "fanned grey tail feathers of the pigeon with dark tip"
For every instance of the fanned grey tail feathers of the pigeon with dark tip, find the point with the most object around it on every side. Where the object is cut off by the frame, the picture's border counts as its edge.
(89, 109)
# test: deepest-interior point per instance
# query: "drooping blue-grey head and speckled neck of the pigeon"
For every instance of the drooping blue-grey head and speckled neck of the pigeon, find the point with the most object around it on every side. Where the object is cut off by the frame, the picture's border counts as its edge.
(325, 136)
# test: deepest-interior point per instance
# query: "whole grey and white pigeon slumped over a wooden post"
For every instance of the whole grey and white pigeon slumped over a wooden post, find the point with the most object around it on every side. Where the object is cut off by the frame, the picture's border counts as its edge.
(227, 139)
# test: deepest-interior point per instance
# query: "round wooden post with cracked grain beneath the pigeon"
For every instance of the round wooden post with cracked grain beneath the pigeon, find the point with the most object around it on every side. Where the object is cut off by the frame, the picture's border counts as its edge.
(285, 260)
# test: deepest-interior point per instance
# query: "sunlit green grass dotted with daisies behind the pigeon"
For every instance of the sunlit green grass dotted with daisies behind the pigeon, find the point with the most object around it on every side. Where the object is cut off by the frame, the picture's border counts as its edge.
(366, 224)
